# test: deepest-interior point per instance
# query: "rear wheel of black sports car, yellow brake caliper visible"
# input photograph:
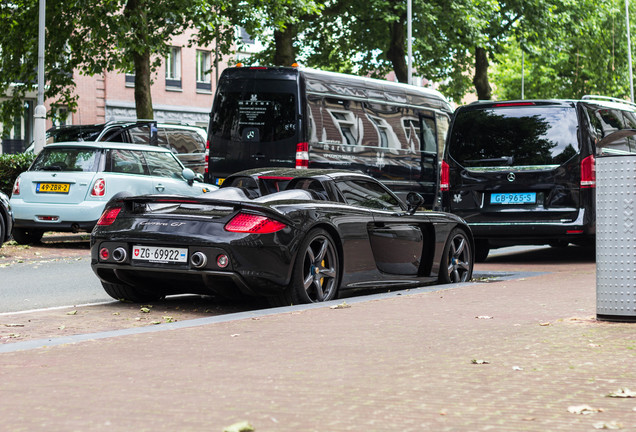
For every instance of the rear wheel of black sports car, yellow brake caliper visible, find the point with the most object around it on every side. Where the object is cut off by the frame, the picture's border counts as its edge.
(316, 273)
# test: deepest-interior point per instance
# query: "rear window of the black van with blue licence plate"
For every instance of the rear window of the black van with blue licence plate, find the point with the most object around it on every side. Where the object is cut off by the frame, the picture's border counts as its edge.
(528, 136)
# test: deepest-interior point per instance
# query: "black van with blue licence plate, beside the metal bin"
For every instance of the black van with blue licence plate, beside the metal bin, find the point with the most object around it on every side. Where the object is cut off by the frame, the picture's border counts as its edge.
(523, 172)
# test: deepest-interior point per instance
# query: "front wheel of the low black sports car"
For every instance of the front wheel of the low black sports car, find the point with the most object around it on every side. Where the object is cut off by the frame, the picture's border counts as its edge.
(457, 261)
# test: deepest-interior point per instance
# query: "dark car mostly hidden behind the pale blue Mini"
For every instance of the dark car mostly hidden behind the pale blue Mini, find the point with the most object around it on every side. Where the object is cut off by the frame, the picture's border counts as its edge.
(186, 141)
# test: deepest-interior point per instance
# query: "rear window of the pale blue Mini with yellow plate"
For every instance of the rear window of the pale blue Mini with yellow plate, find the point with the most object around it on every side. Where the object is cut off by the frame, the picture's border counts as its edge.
(66, 159)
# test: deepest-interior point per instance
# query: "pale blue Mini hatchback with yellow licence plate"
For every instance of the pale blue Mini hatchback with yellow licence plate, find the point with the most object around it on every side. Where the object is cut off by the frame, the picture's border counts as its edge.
(68, 184)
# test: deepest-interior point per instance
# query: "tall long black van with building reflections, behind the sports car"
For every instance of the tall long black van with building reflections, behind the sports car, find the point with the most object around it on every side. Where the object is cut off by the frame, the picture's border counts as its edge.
(303, 118)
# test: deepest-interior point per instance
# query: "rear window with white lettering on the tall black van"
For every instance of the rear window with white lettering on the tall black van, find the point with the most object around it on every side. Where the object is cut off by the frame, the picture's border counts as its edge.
(254, 116)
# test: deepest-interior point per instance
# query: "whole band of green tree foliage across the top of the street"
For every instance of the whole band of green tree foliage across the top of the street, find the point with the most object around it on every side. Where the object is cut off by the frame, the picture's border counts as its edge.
(570, 47)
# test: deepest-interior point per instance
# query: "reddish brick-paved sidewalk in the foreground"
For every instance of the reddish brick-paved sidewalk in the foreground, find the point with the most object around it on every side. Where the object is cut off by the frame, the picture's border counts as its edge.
(513, 355)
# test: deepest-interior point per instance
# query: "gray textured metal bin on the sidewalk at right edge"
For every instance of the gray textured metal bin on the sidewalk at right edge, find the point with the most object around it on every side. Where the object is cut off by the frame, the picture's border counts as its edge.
(616, 237)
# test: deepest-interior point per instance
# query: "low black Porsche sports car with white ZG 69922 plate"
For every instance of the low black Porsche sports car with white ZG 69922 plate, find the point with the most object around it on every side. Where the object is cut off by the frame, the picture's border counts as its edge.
(295, 236)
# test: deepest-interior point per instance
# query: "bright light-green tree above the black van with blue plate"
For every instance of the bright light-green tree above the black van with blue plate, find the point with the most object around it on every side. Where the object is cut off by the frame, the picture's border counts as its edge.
(587, 55)
